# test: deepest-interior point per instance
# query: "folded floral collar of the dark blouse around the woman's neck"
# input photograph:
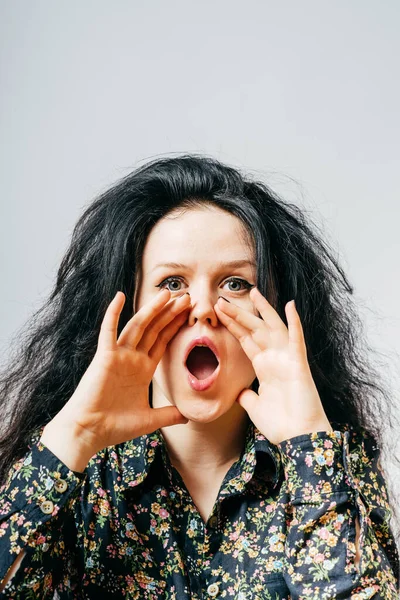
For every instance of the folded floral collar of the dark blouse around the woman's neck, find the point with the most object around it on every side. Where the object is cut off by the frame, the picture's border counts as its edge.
(132, 460)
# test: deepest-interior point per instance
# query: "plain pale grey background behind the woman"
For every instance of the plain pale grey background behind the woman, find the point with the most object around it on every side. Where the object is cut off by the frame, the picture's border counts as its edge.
(305, 95)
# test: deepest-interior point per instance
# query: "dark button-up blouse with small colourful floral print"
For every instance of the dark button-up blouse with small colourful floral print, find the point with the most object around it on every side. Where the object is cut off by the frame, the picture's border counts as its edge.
(282, 526)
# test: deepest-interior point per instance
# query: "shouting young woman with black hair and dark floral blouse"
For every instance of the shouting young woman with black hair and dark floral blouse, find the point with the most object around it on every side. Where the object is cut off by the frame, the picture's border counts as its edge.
(176, 426)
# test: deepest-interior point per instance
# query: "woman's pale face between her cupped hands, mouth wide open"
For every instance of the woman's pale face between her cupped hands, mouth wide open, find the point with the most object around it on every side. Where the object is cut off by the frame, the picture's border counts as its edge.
(202, 240)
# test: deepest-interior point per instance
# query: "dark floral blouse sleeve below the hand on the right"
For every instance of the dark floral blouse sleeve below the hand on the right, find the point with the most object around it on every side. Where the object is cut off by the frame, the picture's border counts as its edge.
(332, 478)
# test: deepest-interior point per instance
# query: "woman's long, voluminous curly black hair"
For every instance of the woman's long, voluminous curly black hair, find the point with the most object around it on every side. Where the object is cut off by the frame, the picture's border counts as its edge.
(55, 346)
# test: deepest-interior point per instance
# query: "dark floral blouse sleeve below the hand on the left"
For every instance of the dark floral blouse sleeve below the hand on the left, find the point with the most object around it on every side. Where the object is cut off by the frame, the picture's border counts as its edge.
(35, 516)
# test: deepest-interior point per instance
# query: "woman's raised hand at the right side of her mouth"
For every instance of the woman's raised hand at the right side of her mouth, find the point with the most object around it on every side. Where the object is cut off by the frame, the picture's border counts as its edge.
(287, 403)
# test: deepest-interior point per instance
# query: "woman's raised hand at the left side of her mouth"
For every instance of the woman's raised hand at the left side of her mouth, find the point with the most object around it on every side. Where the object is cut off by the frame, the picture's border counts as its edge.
(111, 402)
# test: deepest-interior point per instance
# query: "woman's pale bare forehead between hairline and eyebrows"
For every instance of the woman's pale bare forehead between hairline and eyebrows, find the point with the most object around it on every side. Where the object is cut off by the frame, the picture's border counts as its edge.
(201, 234)
